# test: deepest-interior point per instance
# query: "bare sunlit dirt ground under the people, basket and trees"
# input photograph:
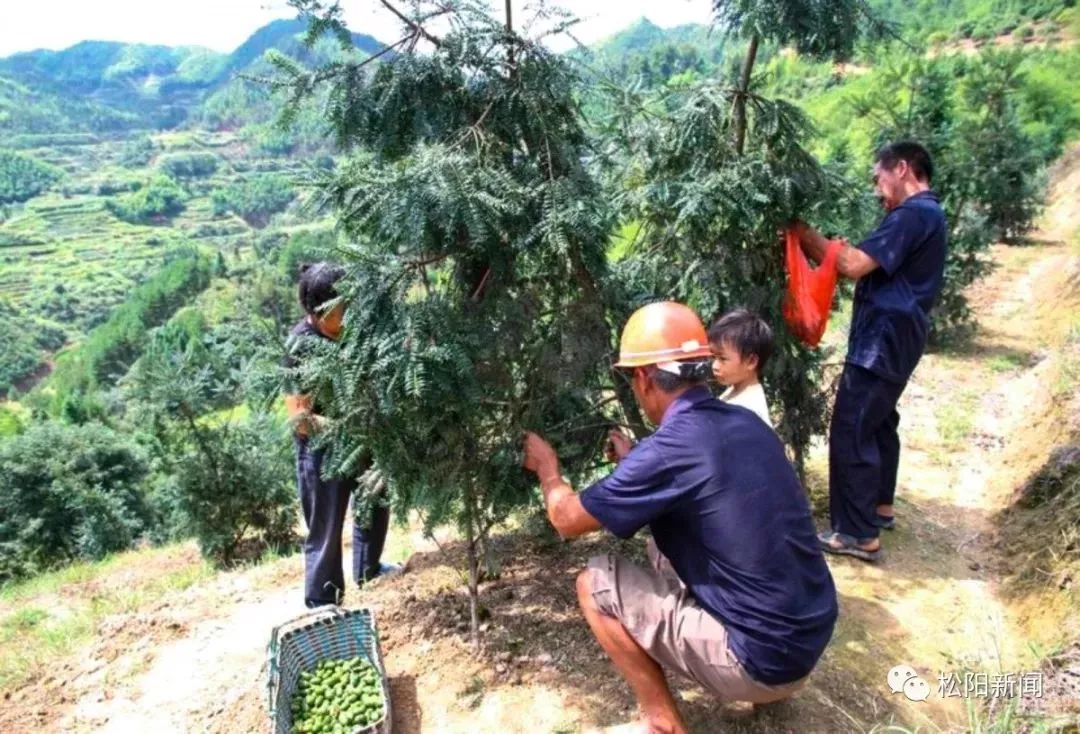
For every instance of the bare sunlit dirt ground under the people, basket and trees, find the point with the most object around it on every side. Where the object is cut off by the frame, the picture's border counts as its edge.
(976, 425)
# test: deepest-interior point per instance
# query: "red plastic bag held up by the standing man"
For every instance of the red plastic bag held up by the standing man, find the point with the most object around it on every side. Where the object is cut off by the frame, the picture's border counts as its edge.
(809, 290)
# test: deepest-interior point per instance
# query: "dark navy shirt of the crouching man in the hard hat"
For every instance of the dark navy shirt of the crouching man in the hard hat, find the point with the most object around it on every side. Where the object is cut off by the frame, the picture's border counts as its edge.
(726, 509)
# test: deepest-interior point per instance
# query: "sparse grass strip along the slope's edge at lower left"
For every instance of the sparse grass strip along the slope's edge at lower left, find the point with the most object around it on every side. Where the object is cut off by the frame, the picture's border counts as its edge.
(47, 618)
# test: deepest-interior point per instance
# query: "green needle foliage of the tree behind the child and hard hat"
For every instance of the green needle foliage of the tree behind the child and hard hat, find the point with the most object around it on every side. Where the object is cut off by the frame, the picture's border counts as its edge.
(711, 219)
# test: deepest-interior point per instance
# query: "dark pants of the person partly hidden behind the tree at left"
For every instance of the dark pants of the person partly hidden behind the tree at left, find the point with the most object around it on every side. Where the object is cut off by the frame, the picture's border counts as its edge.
(326, 504)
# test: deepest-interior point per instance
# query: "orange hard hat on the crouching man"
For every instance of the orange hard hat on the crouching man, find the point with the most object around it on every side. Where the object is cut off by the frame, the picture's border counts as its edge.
(660, 334)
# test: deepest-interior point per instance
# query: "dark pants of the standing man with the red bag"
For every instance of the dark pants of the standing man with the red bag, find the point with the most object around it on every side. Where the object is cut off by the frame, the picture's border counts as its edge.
(863, 452)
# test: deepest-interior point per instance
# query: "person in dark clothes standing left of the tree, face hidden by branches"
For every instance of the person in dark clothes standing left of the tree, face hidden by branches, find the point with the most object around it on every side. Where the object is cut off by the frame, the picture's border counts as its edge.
(326, 501)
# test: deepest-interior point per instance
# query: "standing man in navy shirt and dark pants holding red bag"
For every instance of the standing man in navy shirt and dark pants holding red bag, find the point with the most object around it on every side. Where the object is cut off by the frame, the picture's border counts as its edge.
(899, 269)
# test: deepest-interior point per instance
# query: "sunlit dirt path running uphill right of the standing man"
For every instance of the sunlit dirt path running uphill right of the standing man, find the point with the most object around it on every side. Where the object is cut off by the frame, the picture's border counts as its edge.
(969, 424)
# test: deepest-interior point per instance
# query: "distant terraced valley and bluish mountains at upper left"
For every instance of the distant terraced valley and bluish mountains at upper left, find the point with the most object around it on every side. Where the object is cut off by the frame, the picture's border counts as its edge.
(112, 119)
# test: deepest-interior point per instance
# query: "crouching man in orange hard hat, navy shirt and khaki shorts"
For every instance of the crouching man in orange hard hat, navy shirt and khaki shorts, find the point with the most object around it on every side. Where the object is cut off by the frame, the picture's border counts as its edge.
(738, 595)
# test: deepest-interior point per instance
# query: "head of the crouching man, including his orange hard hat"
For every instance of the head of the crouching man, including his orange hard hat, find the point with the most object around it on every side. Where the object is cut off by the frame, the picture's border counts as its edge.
(665, 351)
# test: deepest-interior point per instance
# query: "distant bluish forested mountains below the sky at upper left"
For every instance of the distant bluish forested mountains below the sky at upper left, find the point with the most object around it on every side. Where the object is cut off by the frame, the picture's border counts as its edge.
(107, 87)
